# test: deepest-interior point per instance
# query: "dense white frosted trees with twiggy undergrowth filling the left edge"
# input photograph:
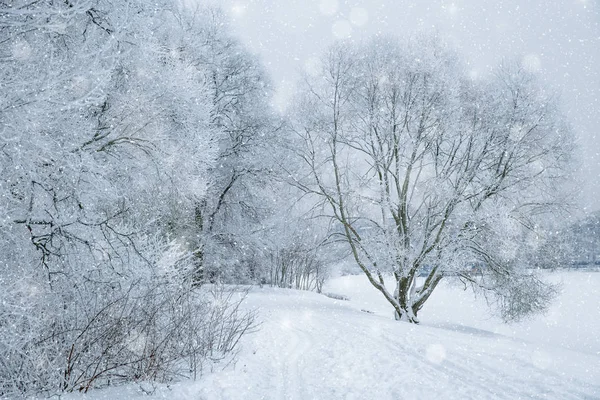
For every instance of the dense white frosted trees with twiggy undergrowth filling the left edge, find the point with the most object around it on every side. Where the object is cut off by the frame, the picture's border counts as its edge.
(106, 143)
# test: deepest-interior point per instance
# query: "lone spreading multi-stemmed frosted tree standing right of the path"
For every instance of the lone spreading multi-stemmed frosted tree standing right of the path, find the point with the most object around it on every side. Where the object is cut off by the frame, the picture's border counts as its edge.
(426, 171)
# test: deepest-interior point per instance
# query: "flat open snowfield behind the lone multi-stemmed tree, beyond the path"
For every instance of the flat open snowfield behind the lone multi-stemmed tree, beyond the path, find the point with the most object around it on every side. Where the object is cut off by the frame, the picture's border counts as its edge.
(573, 322)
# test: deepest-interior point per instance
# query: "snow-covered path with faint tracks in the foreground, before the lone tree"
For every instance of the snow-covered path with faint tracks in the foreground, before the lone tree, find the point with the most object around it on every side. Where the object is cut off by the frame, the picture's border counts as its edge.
(313, 347)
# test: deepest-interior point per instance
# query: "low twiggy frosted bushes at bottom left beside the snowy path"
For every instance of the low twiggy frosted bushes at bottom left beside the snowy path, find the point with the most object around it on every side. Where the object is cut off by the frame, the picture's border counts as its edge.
(119, 328)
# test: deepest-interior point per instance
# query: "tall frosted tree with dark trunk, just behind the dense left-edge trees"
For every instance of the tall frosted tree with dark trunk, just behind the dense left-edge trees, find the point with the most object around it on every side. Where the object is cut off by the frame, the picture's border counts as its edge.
(245, 125)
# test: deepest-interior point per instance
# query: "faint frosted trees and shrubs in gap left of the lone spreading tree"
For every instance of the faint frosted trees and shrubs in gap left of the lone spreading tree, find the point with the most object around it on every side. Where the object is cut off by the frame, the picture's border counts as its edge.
(298, 249)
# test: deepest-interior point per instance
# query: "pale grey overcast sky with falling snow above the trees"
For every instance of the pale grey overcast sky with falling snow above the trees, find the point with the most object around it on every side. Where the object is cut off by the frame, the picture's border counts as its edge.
(558, 38)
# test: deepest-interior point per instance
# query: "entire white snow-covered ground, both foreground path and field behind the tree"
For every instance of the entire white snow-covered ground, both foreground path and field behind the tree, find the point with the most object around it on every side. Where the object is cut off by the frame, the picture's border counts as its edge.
(310, 346)
